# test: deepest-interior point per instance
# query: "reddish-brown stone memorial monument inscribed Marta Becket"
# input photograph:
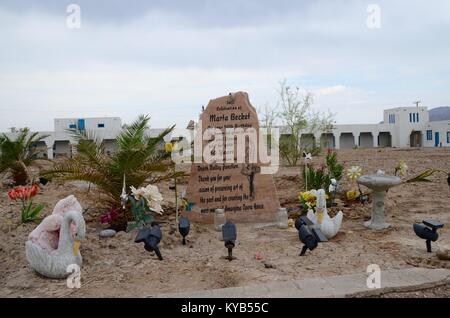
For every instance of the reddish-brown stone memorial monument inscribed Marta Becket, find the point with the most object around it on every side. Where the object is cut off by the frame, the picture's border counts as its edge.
(227, 172)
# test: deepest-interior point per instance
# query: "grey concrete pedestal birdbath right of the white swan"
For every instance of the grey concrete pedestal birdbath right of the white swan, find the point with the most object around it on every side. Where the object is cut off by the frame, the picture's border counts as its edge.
(379, 183)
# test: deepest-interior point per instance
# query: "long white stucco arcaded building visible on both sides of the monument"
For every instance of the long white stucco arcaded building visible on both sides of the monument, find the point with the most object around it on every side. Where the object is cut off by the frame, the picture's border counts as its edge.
(401, 127)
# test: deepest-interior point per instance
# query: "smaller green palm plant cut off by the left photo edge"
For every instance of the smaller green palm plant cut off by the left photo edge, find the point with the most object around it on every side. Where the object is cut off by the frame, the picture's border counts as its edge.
(17, 154)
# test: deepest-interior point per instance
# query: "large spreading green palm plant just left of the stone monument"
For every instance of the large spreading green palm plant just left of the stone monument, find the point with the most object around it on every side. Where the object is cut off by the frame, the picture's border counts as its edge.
(137, 157)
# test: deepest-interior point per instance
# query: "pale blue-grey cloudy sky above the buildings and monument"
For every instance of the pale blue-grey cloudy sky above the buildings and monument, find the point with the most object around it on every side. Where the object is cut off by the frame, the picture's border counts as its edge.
(168, 58)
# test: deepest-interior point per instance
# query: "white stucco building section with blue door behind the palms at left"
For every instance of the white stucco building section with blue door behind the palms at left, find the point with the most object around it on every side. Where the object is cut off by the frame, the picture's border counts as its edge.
(61, 143)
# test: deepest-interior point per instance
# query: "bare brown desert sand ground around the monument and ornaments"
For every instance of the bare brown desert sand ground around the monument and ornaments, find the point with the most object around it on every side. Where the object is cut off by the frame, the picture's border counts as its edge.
(118, 267)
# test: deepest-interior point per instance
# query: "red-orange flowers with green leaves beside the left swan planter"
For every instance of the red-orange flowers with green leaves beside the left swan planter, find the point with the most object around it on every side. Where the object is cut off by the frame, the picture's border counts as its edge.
(29, 212)
